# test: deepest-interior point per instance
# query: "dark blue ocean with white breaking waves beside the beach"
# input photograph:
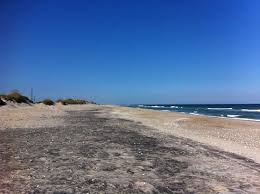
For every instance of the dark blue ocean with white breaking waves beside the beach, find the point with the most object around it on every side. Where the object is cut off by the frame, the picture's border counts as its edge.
(238, 111)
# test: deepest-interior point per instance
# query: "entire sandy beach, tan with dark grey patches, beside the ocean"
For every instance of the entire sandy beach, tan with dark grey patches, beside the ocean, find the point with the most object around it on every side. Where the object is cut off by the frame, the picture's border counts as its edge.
(112, 149)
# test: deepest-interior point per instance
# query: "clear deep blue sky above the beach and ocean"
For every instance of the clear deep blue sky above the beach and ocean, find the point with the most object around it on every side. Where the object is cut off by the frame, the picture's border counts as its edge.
(123, 52)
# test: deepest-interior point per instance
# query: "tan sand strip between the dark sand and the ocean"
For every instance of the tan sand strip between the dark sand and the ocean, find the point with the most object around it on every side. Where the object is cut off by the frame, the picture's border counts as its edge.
(229, 134)
